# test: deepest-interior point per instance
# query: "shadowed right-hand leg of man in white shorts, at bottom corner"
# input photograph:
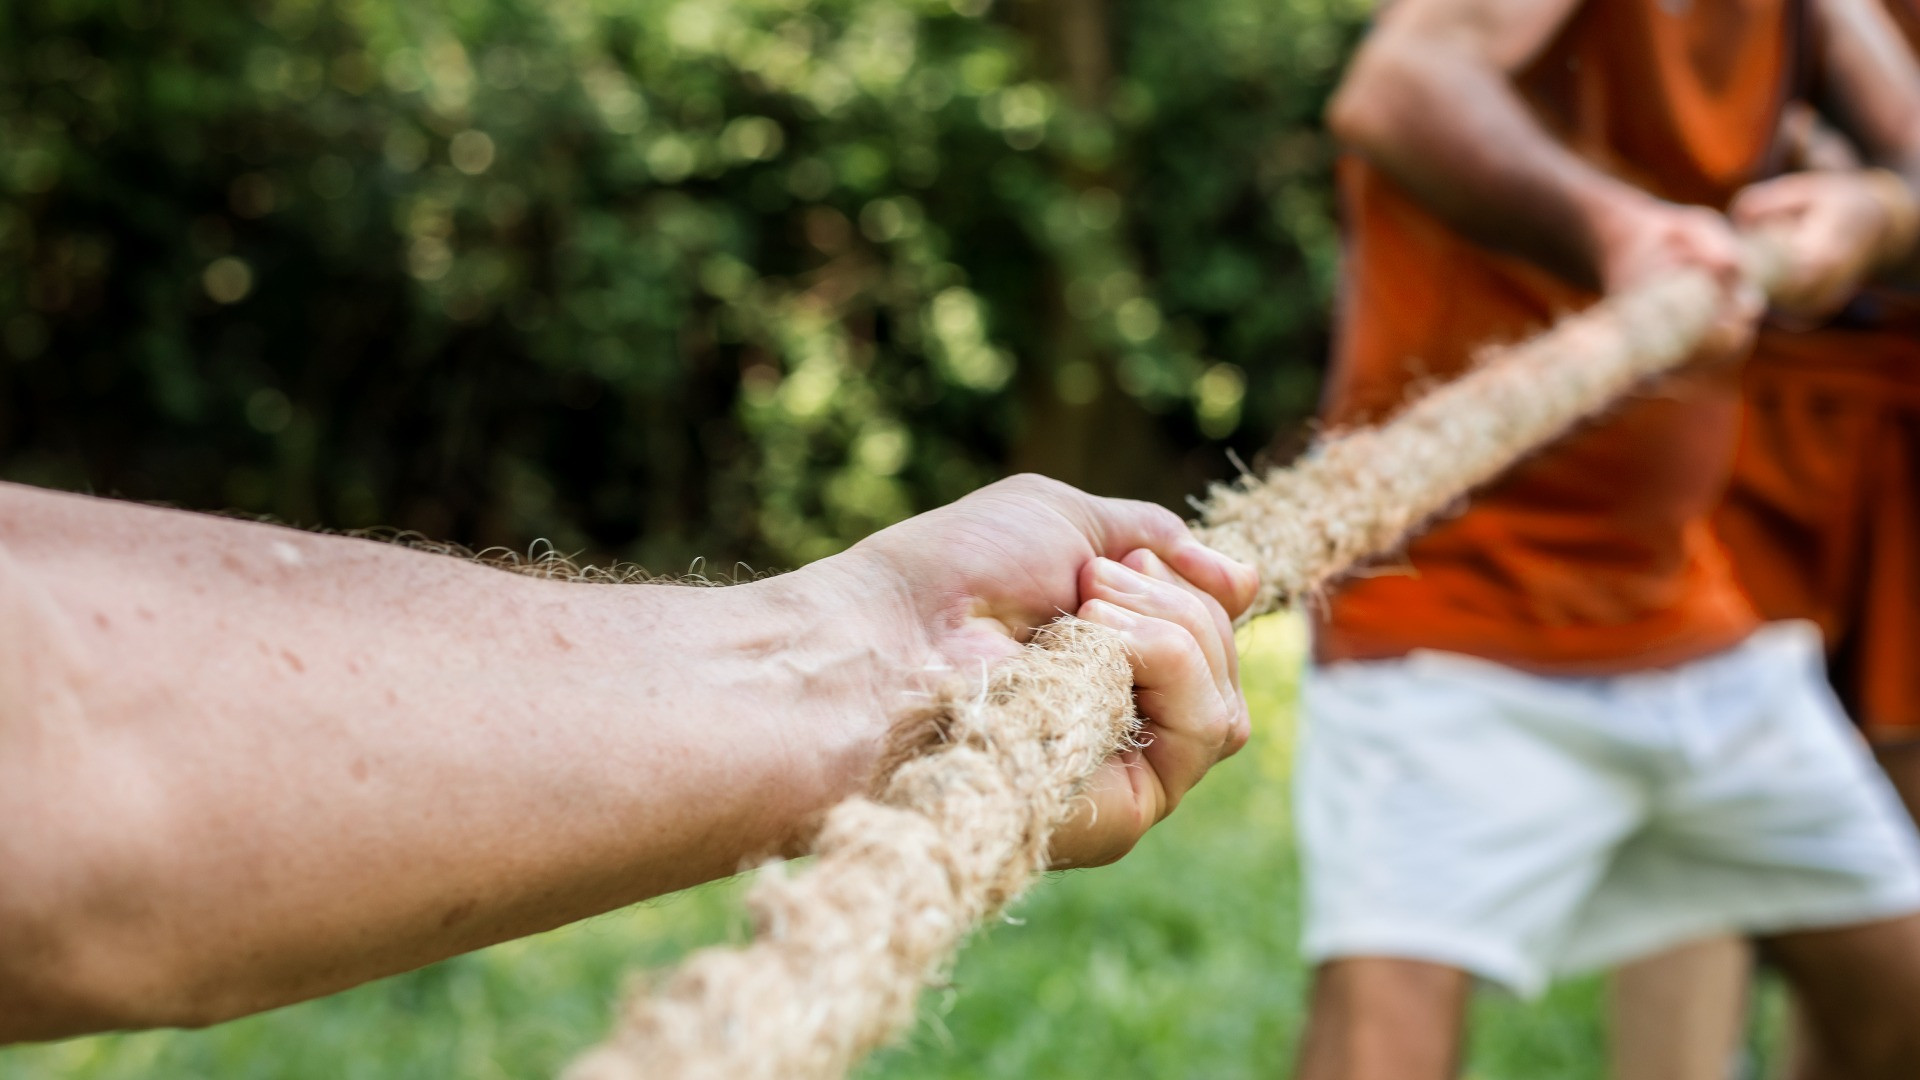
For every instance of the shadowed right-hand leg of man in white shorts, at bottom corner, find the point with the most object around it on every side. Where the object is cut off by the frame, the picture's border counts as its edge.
(1860, 998)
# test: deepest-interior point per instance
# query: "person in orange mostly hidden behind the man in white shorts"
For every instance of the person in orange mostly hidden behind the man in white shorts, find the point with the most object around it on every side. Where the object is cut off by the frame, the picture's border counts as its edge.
(1823, 524)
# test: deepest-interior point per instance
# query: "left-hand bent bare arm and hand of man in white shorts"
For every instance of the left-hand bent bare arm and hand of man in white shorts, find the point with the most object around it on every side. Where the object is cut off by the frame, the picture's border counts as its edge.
(1431, 103)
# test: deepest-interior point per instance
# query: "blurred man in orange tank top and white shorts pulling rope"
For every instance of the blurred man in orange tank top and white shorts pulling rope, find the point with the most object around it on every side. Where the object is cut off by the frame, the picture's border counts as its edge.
(1558, 735)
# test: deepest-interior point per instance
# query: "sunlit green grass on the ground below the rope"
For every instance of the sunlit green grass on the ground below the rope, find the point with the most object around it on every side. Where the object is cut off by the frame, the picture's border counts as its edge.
(1176, 964)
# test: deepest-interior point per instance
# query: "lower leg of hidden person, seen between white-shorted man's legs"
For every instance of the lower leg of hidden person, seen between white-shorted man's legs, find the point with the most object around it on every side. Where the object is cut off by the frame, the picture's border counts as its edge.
(1679, 1016)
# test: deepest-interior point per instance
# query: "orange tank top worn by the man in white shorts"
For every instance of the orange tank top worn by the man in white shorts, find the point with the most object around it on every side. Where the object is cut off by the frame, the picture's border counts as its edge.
(1595, 556)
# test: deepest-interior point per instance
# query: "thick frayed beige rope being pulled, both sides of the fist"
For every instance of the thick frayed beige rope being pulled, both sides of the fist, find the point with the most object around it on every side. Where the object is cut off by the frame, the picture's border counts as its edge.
(961, 827)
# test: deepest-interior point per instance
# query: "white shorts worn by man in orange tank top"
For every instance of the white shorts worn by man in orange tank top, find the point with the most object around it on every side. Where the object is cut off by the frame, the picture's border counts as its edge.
(1518, 827)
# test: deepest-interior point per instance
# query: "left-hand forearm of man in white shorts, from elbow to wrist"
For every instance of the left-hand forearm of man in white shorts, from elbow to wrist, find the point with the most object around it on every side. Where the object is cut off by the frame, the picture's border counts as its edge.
(1481, 162)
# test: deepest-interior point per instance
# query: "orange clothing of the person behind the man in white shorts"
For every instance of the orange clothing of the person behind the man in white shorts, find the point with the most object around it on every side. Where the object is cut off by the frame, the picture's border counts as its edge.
(1823, 516)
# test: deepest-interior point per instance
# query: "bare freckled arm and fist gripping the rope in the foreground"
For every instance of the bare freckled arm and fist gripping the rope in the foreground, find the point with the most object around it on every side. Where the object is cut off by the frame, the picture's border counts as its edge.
(245, 766)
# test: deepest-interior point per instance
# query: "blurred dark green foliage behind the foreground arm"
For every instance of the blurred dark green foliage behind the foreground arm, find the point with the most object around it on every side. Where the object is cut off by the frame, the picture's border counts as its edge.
(665, 280)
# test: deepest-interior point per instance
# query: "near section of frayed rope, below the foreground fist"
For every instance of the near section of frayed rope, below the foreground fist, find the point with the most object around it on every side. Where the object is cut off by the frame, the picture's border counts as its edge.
(955, 835)
